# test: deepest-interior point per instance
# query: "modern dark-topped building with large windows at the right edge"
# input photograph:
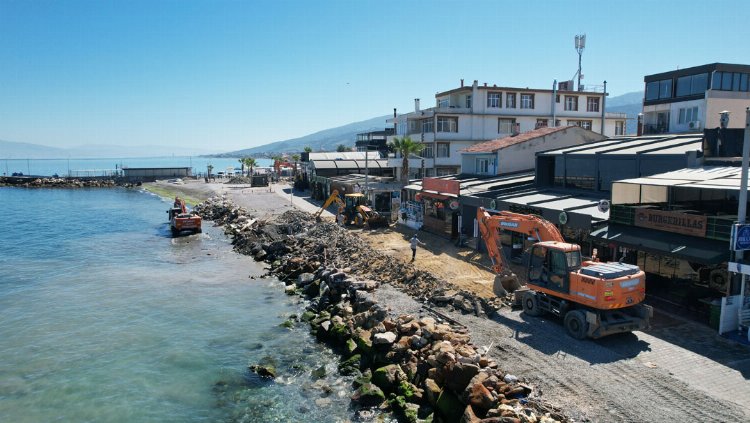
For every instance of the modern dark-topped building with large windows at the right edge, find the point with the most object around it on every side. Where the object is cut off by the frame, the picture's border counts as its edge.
(690, 99)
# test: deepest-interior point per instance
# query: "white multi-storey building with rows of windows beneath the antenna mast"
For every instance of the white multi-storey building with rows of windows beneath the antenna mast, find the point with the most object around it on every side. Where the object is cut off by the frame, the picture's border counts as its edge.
(471, 114)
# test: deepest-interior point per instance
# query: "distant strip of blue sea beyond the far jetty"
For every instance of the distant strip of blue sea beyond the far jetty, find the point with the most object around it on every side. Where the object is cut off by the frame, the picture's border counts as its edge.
(101, 167)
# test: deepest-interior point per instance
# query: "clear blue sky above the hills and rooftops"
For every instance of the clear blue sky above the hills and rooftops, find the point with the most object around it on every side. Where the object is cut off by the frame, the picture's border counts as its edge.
(228, 75)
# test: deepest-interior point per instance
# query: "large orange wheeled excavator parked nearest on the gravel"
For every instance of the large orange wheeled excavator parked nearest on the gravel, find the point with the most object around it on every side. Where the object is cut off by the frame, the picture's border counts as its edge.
(595, 299)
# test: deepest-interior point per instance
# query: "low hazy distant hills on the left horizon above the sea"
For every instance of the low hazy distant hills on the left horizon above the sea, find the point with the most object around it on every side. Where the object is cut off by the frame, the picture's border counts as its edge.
(22, 150)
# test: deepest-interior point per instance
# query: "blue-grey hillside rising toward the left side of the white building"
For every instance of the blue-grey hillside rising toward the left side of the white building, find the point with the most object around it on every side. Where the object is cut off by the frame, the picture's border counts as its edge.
(325, 140)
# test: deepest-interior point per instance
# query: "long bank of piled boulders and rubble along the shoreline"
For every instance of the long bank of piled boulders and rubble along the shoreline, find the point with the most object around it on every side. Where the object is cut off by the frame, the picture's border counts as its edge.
(419, 368)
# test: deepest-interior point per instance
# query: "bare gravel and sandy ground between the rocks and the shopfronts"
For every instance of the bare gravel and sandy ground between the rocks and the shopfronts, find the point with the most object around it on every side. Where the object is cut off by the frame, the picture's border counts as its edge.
(678, 370)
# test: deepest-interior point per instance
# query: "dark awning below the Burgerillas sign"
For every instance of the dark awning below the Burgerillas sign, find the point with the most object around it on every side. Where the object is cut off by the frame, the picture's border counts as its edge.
(698, 250)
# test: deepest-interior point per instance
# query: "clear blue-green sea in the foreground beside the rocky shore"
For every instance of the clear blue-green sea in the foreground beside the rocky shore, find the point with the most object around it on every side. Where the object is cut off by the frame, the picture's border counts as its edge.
(104, 317)
